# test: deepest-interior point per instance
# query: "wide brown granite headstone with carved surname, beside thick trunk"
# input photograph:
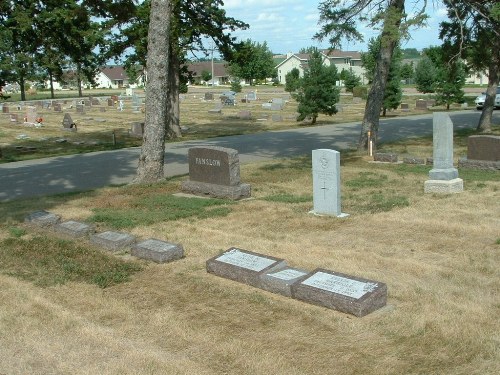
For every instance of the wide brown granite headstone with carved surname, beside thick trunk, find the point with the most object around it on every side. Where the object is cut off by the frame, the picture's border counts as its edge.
(215, 172)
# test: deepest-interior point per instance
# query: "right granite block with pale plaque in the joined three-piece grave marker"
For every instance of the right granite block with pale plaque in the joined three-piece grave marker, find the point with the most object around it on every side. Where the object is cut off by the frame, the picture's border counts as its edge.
(338, 291)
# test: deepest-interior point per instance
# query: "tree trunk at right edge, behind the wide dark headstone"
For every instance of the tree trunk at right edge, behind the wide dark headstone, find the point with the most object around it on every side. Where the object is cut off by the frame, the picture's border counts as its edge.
(484, 124)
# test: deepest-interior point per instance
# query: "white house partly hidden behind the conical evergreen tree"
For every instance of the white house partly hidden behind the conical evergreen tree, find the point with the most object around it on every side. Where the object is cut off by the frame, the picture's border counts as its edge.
(341, 59)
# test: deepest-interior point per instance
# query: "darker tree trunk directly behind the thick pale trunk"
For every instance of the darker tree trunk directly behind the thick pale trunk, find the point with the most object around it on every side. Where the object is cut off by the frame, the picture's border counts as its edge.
(173, 129)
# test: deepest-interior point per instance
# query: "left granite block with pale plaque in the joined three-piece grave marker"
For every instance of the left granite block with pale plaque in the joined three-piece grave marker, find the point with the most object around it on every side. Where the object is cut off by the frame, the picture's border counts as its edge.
(244, 266)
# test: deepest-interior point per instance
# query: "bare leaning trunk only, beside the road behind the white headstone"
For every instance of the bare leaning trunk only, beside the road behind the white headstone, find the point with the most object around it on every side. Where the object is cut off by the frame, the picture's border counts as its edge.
(389, 40)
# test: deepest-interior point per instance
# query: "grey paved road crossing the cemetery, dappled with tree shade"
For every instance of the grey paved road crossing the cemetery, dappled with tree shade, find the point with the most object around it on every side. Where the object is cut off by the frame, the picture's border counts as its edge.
(88, 171)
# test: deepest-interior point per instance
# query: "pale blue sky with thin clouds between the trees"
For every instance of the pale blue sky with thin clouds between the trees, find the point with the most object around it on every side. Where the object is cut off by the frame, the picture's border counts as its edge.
(289, 25)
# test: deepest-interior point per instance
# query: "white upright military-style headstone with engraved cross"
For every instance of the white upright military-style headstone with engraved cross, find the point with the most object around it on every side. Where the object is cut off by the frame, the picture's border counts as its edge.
(326, 183)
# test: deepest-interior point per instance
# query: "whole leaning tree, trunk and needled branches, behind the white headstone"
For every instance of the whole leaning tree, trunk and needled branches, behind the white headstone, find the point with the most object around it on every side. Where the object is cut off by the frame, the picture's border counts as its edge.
(339, 23)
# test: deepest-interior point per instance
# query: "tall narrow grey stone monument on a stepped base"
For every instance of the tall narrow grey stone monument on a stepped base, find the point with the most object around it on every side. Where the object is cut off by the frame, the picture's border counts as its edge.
(443, 177)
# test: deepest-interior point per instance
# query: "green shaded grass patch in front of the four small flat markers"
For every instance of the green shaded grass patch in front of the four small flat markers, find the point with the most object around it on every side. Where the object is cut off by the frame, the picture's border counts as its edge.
(47, 261)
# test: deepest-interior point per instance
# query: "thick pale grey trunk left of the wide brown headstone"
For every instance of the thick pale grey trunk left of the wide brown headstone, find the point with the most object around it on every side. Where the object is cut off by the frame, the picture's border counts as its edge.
(152, 156)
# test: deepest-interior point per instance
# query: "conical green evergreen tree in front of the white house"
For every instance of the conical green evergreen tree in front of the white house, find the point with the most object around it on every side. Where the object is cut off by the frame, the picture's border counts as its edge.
(317, 92)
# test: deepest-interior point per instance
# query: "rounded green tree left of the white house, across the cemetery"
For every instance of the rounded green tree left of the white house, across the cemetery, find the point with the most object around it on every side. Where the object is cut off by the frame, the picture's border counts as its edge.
(252, 61)
